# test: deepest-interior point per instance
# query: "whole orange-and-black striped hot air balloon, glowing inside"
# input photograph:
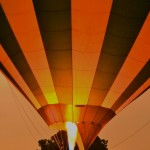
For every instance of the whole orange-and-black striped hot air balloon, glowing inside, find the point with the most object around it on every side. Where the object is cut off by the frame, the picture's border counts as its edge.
(76, 61)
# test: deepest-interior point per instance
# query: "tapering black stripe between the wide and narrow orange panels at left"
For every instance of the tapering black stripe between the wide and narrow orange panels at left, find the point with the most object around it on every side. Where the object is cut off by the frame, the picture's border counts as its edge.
(14, 52)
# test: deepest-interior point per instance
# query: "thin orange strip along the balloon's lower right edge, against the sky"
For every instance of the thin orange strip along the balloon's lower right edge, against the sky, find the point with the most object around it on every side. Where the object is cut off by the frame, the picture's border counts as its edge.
(137, 93)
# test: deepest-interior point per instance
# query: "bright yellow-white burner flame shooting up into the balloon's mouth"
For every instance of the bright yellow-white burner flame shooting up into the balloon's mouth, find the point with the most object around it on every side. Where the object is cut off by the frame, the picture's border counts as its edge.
(72, 134)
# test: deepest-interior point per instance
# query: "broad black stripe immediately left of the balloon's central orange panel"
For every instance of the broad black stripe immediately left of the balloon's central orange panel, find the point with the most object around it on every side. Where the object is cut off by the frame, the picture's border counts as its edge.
(57, 21)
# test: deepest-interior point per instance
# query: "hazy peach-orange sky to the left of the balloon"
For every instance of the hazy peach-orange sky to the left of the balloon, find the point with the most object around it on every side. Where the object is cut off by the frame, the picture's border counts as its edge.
(20, 125)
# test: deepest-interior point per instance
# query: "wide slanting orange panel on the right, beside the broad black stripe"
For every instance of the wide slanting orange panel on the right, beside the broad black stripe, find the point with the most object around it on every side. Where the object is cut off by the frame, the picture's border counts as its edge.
(137, 58)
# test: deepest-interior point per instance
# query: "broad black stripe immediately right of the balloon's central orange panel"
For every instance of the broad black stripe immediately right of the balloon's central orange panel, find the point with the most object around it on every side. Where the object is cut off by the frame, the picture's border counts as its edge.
(121, 34)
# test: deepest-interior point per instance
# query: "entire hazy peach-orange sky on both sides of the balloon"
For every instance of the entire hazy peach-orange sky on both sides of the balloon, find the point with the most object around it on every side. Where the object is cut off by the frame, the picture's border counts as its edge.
(21, 127)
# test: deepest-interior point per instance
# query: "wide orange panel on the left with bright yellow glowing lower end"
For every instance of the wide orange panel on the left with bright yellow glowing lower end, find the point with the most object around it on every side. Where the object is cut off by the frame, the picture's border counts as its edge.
(24, 25)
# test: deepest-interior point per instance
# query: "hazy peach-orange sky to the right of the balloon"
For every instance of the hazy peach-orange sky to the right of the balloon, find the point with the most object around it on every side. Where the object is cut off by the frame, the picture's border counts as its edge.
(130, 129)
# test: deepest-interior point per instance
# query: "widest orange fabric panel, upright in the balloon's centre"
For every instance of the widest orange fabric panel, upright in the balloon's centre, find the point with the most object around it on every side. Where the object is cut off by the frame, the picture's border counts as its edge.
(89, 22)
